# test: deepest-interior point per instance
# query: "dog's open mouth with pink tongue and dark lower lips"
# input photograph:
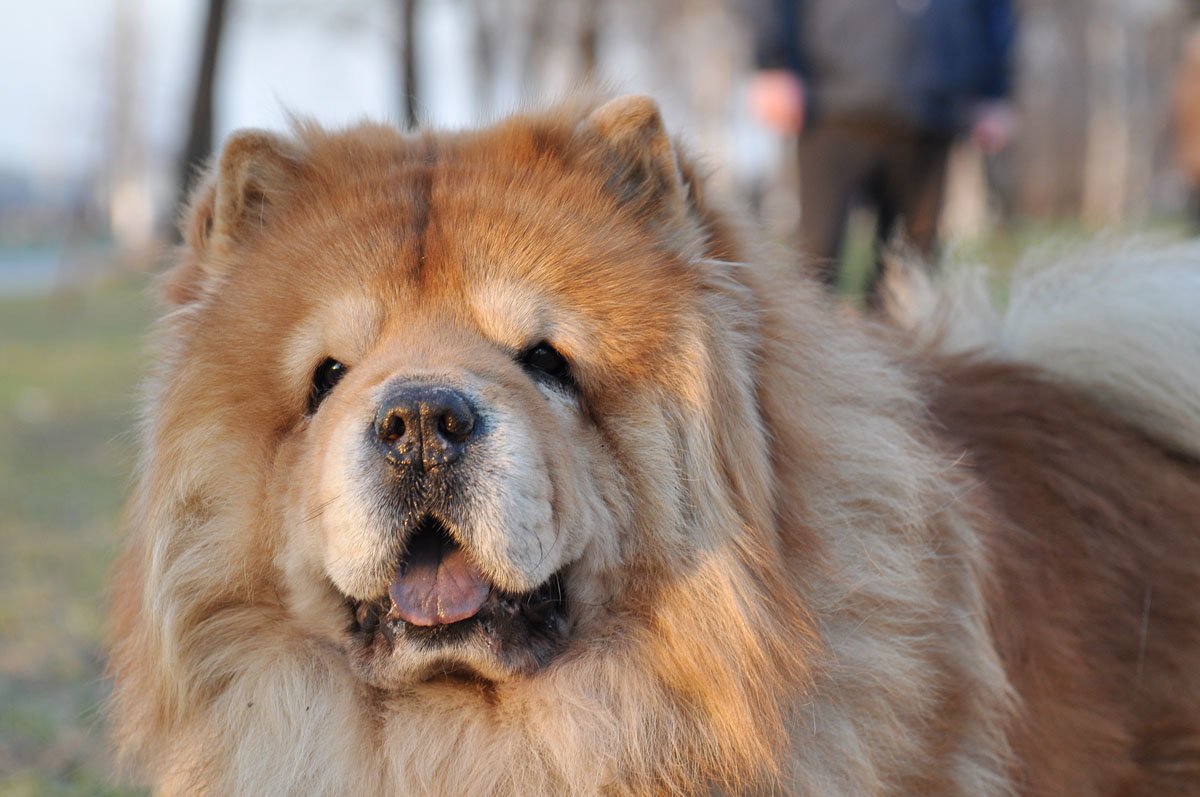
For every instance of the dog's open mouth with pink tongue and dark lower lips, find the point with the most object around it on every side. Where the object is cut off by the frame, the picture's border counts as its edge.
(439, 600)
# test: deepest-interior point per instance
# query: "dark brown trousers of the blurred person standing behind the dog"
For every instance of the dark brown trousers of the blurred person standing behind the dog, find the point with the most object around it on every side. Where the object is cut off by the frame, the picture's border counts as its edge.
(897, 171)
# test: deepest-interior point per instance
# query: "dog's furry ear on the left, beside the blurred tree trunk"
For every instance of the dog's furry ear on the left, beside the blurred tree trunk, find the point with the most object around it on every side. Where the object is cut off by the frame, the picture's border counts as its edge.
(236, 200)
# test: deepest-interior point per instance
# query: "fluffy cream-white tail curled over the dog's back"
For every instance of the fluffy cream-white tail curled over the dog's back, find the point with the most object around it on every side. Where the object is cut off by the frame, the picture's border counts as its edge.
(1118, 320)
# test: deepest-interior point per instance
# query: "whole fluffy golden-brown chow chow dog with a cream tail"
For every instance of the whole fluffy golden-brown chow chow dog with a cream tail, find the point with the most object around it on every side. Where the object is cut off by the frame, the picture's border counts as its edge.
(507, 463)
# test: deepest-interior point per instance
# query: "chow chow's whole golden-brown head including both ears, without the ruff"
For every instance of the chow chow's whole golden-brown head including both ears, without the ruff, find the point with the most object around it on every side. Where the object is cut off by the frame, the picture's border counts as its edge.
(467, 373)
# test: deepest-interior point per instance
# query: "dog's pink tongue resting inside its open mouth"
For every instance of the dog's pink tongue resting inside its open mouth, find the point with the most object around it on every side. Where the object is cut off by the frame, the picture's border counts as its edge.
(437, 586)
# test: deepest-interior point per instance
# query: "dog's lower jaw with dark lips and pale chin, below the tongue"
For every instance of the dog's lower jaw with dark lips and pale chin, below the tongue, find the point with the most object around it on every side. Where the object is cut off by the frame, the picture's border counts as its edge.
(506, 636)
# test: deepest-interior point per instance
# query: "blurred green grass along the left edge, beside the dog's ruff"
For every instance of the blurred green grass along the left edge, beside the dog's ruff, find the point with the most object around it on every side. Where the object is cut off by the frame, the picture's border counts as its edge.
(70, 365)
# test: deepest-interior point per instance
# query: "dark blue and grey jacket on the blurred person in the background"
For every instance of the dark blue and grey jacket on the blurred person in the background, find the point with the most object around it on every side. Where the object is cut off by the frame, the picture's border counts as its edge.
(923, 63)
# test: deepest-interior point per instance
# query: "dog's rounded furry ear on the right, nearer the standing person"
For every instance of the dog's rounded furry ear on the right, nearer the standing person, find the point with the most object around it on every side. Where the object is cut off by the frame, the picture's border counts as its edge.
(631, 145)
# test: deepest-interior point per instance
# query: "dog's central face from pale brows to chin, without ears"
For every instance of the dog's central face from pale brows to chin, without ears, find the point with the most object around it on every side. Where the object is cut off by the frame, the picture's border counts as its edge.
(452, 487)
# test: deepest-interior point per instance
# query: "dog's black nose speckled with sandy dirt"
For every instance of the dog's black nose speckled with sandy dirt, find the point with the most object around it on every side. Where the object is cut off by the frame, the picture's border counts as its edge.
(424, 427)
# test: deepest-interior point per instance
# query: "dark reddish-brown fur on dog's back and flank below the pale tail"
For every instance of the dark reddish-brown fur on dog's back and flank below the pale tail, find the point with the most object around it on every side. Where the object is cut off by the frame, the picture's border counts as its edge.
(1093, 568)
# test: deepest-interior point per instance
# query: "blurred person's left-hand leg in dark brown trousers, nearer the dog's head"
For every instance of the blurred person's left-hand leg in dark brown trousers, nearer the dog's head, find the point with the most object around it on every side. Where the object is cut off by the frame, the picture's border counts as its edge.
(835, 161)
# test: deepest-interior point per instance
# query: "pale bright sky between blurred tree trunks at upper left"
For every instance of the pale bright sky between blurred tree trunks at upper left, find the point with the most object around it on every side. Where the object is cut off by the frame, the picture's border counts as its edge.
(333, 62)
